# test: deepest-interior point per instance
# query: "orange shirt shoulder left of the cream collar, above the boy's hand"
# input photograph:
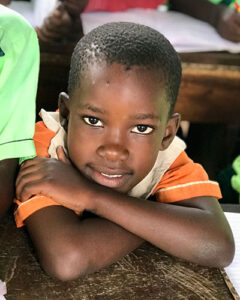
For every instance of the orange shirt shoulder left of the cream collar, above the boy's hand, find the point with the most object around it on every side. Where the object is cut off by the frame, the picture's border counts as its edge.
(42, 138)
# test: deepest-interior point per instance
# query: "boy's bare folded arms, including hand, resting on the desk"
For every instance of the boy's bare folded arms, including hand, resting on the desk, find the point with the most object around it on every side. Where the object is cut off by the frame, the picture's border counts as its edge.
(193, 229)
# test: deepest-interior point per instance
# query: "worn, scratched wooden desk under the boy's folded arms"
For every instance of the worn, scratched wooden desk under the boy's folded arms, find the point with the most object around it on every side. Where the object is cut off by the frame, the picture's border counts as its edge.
(148, 274)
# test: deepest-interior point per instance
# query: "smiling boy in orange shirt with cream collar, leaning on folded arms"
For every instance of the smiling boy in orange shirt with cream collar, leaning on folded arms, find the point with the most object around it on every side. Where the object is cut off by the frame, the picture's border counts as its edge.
(121, 144)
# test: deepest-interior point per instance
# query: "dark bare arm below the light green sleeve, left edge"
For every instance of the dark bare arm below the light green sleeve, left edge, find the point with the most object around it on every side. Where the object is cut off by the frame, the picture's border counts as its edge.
(8, 169)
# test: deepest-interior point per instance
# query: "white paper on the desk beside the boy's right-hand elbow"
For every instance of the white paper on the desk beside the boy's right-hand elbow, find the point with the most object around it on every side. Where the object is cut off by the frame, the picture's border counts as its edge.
(233, 270)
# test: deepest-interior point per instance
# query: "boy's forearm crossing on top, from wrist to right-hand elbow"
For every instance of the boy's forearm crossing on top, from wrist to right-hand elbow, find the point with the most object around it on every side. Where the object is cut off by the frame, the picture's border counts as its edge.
(189, 224)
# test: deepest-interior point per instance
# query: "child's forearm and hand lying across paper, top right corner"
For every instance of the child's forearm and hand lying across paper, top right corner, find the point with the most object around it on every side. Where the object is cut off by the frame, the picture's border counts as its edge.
(224, 19)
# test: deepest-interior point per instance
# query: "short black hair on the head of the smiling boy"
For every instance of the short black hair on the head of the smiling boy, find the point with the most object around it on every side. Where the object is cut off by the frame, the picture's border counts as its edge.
(131, 45)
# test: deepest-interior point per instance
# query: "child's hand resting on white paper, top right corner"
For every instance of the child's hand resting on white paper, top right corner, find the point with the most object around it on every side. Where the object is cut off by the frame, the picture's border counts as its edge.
(229, 25)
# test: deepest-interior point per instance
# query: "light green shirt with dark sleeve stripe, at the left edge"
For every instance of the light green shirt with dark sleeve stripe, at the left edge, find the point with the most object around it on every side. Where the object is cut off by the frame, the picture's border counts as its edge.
(19, 67)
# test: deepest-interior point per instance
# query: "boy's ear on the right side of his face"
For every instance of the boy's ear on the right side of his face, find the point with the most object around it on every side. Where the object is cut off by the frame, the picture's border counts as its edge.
(170, 131)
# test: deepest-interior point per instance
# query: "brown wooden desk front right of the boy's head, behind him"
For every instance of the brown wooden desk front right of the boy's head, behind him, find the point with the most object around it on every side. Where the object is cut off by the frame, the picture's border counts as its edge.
(210, 93)
